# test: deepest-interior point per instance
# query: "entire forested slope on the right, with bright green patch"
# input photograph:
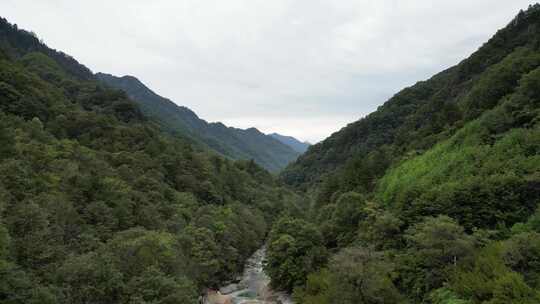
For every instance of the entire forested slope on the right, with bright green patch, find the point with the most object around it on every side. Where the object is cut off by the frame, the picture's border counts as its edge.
(433, 198)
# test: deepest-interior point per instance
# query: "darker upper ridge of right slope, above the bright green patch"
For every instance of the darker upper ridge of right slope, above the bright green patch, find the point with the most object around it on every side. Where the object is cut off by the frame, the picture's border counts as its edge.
(419, 116)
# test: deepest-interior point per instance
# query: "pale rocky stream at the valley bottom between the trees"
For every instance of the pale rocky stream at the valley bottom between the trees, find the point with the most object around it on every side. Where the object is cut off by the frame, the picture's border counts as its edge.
(252, 288)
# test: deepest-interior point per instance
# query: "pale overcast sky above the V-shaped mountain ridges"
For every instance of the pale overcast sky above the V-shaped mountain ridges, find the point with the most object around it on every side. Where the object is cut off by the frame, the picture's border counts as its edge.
(304, 68)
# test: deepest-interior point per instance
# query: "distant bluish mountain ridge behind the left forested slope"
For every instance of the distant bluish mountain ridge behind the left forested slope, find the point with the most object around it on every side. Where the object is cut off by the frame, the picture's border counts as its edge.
(231, 142)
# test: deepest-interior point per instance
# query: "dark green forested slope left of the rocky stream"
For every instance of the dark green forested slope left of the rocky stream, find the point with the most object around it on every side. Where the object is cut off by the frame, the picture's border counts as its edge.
(97, 205)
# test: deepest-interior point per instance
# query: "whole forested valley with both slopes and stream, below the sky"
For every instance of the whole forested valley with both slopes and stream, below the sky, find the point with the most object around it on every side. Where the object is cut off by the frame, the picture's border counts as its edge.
(111, 193)
